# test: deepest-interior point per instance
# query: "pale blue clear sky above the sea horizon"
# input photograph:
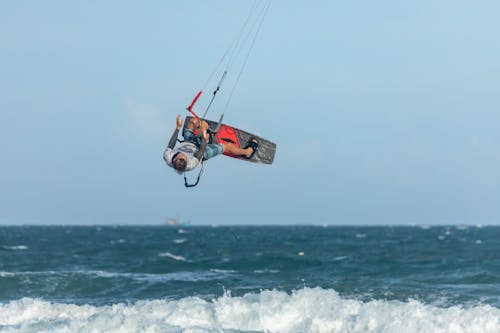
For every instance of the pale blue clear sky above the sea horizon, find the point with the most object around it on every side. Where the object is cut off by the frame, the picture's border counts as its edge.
(383, 112)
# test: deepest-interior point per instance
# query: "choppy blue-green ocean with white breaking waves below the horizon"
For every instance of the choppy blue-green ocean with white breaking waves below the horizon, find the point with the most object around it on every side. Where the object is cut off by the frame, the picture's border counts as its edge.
(249, 279)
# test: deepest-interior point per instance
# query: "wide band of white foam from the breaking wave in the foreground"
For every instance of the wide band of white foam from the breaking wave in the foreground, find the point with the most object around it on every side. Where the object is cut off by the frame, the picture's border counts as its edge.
(307, 310)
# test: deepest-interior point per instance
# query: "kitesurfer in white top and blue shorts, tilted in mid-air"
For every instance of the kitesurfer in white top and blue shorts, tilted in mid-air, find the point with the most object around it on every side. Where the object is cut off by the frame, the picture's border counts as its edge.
(187, 155)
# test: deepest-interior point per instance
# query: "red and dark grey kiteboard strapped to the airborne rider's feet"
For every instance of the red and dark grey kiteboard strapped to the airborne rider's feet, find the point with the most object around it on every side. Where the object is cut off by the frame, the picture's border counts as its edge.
(228, 134)
